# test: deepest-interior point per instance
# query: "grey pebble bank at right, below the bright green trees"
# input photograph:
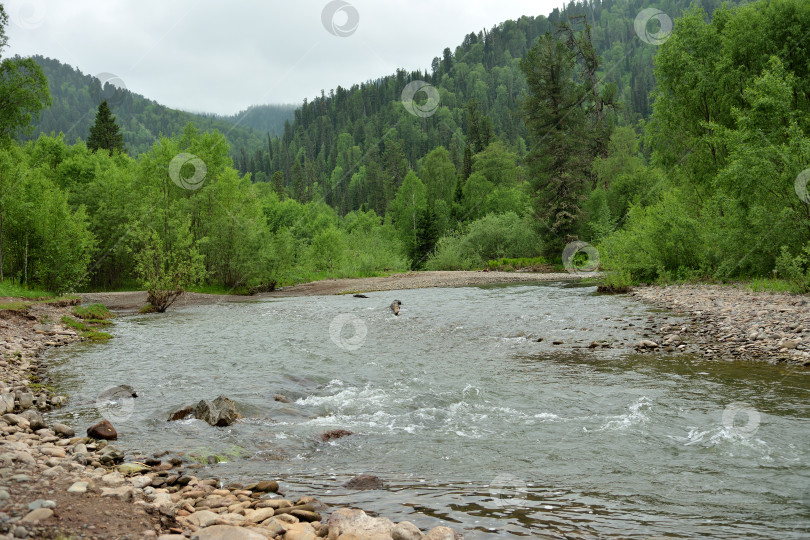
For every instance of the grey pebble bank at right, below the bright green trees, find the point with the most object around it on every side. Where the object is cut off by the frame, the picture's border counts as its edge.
(732, 323)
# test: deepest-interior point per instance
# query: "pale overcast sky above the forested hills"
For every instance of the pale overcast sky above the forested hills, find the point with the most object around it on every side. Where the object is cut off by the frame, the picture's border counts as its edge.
(219, 56)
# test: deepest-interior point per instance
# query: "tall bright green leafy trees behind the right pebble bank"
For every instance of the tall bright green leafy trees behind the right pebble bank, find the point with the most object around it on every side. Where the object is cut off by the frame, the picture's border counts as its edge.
(719, 190)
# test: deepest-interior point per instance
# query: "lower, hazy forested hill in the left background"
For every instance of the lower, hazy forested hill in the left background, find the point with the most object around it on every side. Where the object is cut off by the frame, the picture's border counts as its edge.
(76, 97)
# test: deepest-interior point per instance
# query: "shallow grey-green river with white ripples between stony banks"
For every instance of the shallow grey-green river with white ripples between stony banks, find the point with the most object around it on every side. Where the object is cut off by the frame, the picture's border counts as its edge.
(470, 420)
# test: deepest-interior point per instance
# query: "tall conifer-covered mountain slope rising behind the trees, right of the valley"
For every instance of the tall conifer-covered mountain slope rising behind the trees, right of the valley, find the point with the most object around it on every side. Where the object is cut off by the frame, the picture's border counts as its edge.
(337, 139)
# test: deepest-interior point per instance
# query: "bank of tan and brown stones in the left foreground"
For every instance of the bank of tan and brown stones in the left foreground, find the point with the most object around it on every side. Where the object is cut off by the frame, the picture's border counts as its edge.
(59, 485)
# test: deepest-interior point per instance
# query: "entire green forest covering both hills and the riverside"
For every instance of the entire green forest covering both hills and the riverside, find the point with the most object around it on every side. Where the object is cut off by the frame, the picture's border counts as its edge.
(679, 154)
